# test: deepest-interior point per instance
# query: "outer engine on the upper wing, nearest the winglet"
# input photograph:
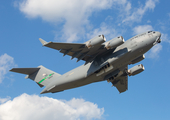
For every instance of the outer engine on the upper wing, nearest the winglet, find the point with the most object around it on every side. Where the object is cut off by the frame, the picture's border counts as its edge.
(95, 41)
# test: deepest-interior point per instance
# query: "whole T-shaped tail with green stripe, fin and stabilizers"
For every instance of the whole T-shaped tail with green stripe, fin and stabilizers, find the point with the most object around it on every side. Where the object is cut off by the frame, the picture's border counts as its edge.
(40, 75)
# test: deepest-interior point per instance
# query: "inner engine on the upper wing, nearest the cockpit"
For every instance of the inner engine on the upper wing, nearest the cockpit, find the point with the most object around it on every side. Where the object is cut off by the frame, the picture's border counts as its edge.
(114, 42)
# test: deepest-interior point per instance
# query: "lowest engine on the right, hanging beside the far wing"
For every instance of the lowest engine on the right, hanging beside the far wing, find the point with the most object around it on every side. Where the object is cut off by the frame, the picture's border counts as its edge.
(136, 70)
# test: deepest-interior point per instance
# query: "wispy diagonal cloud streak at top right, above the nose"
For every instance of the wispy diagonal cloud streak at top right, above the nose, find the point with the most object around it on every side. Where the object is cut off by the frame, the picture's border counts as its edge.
(137, 13)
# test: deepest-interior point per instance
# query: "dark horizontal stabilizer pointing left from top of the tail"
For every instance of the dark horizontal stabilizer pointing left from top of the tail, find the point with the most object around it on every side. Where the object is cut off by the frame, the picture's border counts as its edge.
(27, 71)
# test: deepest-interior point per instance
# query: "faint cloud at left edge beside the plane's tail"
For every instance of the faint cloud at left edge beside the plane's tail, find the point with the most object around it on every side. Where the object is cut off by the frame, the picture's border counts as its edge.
(6, 62)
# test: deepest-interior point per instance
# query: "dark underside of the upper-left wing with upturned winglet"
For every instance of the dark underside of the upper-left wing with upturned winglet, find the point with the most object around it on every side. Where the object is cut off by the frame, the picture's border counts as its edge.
(76, 50)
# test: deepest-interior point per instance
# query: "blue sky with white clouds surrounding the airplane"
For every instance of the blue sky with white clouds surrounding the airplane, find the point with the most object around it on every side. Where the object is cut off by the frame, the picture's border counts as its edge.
(23, 22)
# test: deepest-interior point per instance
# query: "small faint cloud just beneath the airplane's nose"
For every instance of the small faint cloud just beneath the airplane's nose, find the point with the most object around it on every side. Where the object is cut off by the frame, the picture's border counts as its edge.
(154, 52)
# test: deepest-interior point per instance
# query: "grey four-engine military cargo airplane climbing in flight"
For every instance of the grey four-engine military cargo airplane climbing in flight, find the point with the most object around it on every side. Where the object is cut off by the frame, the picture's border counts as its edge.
(103, 61)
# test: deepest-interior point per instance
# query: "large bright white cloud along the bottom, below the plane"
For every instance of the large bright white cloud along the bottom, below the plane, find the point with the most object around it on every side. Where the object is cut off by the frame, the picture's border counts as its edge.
(34, 107)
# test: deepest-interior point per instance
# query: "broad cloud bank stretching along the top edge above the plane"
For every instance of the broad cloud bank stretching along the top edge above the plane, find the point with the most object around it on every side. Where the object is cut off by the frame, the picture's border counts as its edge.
(74, 16)
